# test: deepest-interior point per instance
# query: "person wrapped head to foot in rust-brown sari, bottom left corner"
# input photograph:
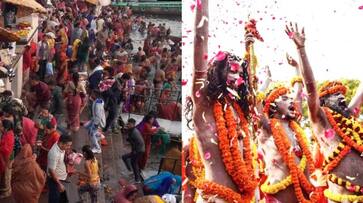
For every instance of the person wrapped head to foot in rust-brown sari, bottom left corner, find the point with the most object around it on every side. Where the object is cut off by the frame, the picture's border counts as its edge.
(28, 179)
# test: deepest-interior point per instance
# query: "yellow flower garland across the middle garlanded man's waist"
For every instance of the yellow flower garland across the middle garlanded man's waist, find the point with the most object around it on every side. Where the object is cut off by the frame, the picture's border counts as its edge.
(283, 184)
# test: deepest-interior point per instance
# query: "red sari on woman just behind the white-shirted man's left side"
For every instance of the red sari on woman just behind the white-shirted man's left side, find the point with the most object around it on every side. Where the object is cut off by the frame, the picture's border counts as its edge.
(48, 141)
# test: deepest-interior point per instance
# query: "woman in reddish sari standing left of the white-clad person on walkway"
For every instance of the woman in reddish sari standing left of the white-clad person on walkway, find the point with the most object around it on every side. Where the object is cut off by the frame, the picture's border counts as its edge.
(74, 93)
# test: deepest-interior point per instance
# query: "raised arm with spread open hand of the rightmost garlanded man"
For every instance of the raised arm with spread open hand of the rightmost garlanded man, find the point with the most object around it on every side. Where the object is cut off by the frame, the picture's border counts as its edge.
(306, 71)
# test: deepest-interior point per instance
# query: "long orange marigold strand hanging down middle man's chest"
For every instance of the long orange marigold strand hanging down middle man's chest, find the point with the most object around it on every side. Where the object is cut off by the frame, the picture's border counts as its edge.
(283, 144)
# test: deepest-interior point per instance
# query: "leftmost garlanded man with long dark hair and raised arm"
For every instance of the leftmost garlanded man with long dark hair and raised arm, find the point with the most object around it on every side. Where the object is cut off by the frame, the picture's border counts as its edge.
(222, 159)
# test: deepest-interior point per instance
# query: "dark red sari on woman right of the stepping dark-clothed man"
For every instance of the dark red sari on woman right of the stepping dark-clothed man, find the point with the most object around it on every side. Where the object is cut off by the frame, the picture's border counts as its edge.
(147, 132)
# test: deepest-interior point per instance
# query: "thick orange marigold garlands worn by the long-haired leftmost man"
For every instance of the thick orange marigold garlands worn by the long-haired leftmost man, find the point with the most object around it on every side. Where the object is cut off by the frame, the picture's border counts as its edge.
(236, 167)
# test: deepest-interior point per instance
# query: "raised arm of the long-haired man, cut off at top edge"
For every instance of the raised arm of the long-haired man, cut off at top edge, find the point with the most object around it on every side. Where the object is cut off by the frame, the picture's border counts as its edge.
(200, 49)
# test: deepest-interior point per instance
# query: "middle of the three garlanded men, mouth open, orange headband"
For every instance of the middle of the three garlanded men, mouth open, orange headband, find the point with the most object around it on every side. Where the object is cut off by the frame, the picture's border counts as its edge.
(285, 147)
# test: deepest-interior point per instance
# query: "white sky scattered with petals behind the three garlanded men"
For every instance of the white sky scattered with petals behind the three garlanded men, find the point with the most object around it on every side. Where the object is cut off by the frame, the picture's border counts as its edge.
(334, 35)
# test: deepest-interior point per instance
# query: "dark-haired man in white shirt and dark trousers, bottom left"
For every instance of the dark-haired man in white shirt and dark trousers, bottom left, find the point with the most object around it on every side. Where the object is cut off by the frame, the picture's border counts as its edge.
(56, 169)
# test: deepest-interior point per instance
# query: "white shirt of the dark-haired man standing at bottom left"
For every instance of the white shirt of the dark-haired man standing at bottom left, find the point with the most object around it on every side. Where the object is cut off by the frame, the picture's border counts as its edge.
(56, 162)
